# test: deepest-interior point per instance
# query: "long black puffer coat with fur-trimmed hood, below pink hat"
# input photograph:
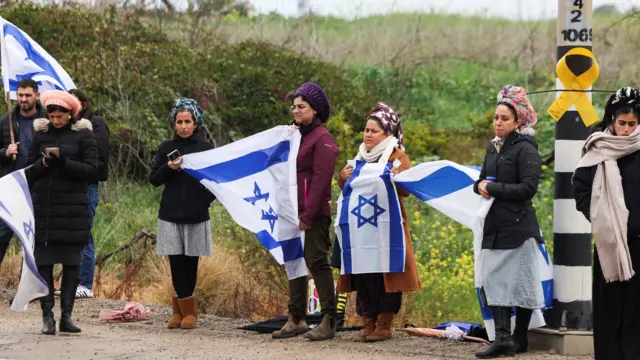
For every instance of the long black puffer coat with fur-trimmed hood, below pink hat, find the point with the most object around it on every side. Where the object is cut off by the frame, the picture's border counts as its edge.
(60, 201)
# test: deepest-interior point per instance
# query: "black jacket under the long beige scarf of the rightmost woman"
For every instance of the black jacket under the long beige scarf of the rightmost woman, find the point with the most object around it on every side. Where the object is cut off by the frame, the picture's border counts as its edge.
(630, 172)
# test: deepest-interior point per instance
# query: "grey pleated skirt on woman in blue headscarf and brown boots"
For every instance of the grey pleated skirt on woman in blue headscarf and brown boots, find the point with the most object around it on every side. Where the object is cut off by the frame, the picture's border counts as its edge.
(184, 239)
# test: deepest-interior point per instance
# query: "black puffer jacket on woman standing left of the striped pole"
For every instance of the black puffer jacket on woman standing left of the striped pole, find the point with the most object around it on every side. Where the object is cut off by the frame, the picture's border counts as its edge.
(512, 218)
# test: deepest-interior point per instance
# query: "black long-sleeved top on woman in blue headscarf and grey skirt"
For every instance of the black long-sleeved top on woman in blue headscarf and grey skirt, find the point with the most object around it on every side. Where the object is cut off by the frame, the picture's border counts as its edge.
(184, 199)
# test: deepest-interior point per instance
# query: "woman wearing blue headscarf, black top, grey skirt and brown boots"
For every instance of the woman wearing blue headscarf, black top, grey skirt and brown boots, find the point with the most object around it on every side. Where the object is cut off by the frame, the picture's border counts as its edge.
(184, 232)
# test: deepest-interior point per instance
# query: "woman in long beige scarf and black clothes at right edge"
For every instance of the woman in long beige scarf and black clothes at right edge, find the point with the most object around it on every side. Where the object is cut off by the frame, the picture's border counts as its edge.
(606, 186)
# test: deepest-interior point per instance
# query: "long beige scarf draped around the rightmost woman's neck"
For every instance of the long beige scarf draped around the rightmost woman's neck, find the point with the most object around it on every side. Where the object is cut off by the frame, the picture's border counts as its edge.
(609, 214)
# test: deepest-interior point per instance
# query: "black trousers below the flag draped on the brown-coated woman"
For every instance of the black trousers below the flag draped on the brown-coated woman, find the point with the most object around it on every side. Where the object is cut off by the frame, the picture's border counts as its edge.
(371, 298)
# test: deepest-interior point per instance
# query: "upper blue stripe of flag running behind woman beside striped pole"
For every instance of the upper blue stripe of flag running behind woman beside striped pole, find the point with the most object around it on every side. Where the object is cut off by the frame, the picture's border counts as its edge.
(441, 182)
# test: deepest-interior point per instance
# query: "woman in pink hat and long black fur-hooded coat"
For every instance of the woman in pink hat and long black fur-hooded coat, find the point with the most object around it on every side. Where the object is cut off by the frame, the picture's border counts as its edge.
(64, 156)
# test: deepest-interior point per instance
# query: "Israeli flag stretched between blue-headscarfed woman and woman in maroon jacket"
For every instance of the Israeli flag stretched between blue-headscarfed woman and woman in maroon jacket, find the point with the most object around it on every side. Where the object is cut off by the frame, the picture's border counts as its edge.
(255, 179)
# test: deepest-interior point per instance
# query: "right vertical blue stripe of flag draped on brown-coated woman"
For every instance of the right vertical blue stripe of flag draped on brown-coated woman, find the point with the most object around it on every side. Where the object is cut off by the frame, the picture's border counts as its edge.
(396, 241)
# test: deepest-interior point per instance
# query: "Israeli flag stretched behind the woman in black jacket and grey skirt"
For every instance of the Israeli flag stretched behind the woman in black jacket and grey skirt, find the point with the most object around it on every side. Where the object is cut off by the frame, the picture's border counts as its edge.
(448, 187)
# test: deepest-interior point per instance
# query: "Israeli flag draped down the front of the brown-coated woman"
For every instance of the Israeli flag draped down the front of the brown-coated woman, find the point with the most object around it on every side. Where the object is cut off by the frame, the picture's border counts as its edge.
(369, 222)
